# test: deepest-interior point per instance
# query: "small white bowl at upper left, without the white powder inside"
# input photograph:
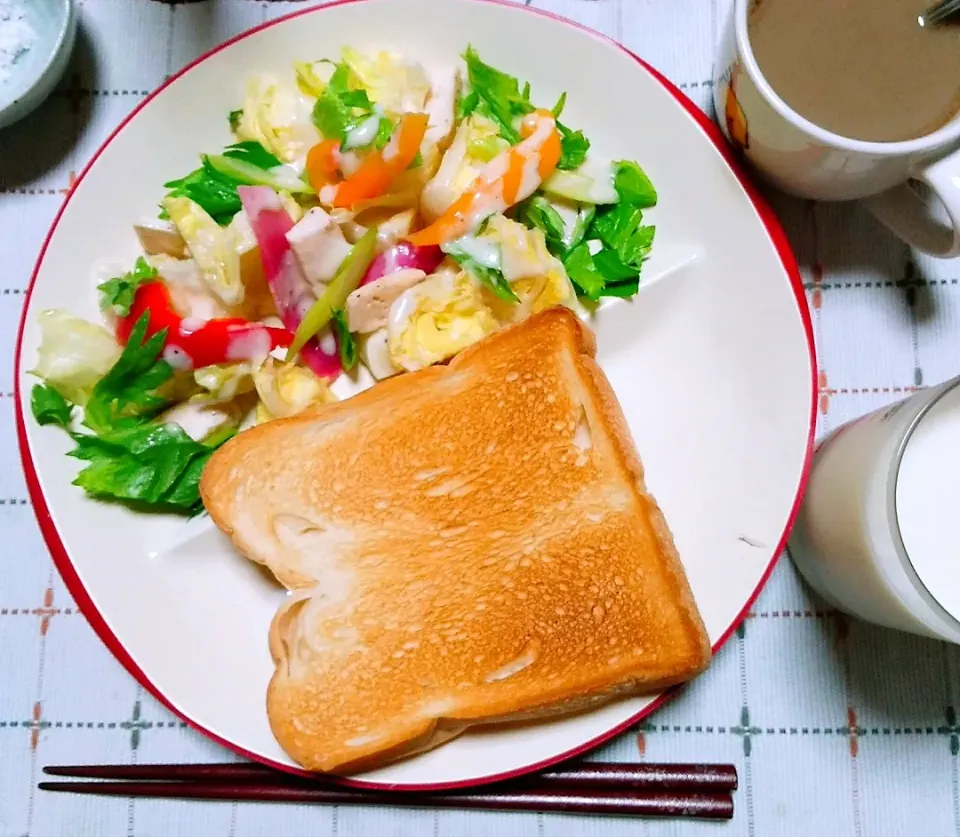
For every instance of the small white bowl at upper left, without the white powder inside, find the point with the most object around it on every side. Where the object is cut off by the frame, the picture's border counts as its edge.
(36, 72)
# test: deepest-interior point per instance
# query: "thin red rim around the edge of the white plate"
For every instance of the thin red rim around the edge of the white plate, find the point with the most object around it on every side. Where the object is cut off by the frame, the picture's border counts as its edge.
(64, 564)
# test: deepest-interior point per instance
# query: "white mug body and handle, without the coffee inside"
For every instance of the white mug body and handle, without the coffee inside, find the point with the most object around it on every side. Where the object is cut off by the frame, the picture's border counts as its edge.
(805, 160)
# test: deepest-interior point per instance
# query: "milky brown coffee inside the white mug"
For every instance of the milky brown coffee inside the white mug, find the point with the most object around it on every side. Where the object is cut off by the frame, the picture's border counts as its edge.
(864, 69)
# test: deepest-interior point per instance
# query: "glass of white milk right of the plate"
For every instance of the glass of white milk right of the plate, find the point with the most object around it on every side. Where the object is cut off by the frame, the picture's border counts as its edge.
(878, 534)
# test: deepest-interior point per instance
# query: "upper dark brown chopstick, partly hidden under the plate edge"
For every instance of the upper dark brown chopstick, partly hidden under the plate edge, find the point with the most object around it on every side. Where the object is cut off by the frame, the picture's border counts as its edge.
(595, 775)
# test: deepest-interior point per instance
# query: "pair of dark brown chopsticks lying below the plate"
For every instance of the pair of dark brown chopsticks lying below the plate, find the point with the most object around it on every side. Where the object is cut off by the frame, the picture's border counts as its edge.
(651, 790)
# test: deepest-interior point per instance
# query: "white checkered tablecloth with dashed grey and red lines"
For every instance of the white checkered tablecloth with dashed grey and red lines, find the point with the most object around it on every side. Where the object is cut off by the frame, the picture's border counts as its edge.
(836, 727)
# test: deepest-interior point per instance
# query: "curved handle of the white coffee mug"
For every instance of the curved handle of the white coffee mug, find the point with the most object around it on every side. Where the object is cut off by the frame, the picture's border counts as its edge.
(907, 215)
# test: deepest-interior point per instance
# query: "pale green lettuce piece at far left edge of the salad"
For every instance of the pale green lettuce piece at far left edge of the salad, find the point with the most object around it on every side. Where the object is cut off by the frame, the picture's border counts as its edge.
(74, 354)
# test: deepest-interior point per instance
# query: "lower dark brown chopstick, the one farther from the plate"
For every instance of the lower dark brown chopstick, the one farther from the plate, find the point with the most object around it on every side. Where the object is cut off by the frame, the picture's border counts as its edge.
(697, 804)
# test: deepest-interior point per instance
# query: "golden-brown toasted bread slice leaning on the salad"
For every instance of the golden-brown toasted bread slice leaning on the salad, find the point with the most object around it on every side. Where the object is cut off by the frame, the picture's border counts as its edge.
(466, 544)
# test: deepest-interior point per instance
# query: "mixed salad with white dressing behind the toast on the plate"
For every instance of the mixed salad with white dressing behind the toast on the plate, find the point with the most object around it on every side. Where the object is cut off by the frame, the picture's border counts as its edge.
(370, 212)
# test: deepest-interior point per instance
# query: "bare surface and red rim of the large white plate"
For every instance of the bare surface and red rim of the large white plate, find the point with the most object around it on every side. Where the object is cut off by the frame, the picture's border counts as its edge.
(713, 363)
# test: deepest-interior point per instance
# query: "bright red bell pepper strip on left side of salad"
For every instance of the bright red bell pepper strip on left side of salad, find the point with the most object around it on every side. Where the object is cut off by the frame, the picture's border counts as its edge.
(193, 344)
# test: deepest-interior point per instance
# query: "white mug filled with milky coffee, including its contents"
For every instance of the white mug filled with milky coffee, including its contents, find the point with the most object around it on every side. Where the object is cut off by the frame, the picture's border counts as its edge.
(848, 100)
